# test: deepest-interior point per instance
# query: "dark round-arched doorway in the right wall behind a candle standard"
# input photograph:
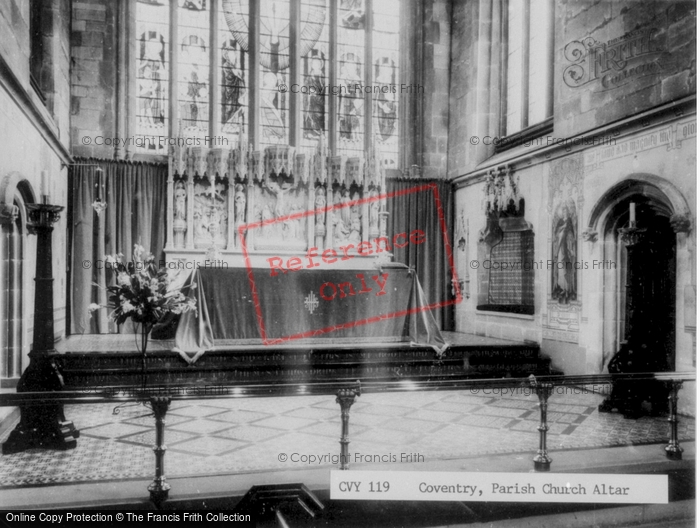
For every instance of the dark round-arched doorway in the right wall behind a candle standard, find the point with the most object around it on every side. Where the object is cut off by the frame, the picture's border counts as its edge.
(639, 287)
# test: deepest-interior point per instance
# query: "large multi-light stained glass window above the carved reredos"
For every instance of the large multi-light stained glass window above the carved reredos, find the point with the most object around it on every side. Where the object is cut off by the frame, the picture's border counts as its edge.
(336, 70)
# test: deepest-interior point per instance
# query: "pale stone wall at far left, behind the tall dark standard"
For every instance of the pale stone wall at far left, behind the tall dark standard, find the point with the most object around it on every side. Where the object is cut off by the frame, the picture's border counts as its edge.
(34, 135)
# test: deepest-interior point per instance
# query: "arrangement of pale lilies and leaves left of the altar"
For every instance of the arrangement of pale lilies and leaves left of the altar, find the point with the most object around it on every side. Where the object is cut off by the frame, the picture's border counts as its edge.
(142, 292)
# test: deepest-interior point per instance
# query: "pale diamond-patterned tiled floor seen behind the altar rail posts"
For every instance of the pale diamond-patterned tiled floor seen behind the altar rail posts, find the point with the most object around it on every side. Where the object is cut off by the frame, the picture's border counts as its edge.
(228, 436)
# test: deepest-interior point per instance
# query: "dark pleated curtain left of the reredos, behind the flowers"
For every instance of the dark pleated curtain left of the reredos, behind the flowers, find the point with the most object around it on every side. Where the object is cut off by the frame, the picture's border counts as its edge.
(136, 206)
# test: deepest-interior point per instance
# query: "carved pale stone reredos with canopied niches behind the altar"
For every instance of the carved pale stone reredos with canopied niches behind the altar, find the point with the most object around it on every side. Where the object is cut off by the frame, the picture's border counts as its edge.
(216, 191)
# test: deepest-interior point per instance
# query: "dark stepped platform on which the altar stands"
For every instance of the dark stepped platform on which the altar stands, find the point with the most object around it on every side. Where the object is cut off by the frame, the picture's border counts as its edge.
(112, 360)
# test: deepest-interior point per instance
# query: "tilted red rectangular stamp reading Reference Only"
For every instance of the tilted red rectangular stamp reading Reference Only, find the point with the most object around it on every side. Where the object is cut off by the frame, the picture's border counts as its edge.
(341, 290)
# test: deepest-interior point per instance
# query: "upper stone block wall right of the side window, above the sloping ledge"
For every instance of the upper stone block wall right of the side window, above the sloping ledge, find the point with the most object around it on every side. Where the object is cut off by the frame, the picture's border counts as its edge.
(615, 59)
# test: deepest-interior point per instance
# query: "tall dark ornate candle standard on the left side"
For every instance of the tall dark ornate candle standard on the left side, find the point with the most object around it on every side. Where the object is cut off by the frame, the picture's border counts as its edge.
(42, 425)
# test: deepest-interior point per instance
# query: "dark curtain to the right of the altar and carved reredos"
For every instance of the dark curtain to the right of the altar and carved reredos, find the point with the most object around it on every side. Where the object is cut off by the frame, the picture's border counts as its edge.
(419, 210)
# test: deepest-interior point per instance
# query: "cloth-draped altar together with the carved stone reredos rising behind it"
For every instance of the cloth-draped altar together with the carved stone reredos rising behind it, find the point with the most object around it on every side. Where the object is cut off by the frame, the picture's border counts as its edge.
(242, 220)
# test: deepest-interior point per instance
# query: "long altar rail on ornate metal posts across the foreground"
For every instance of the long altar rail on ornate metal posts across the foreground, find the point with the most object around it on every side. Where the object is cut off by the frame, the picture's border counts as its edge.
(160, 398)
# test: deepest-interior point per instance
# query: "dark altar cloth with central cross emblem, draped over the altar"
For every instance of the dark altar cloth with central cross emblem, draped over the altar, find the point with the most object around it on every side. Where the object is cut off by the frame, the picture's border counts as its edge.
(237, 303)
